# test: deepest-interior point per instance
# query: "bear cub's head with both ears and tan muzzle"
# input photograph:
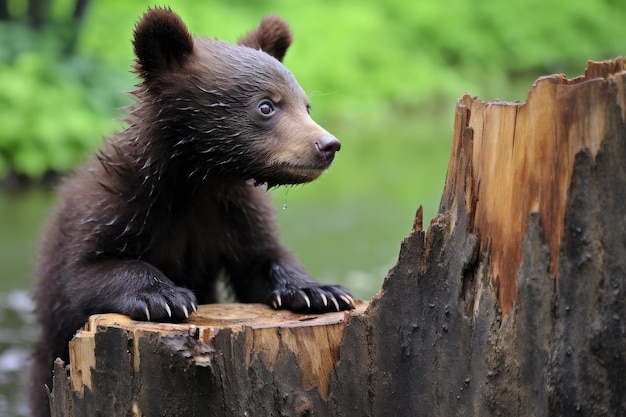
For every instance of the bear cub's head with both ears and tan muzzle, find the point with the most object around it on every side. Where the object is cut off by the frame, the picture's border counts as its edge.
(224, 110)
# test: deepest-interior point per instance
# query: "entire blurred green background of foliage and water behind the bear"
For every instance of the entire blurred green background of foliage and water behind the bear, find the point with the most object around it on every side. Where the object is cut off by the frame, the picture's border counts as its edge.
(384, 77)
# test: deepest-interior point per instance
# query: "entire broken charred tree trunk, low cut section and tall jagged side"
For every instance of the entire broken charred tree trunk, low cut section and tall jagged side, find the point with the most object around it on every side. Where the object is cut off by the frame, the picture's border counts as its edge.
(512, 302)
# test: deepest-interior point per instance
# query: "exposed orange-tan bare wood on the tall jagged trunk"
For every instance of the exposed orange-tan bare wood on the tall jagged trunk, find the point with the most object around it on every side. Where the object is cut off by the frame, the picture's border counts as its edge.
(522, 158)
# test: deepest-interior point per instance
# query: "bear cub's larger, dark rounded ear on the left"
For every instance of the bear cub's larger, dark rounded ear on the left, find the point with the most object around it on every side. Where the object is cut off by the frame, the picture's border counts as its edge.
(161, 41)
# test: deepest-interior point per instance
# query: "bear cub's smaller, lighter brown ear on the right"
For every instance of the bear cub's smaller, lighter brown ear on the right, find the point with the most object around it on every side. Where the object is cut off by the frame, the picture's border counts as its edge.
(273, 36)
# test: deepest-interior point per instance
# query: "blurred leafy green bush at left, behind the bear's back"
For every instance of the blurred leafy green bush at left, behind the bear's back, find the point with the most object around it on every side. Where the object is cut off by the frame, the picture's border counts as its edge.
(52, 109)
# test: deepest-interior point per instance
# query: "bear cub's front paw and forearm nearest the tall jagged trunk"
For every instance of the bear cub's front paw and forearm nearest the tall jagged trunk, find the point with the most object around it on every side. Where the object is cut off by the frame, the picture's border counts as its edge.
(283, 283)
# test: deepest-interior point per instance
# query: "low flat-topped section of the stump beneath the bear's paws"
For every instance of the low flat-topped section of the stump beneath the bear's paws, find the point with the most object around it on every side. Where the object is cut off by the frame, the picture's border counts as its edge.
(229, 359)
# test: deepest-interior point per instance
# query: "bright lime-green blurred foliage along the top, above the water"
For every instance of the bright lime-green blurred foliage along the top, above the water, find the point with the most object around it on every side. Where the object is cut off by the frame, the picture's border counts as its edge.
(363, 56)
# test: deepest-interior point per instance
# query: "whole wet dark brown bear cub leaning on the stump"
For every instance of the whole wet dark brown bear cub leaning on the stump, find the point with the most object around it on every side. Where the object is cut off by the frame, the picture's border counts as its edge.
(179, 197)
